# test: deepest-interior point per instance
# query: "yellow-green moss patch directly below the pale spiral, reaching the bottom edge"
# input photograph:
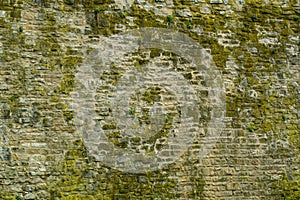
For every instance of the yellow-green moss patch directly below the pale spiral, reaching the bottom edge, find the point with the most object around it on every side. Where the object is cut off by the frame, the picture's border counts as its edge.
(84, 180)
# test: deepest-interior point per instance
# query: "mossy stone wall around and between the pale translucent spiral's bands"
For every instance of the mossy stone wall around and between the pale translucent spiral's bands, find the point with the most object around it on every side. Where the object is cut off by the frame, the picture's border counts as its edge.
(255, 46)
